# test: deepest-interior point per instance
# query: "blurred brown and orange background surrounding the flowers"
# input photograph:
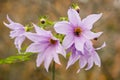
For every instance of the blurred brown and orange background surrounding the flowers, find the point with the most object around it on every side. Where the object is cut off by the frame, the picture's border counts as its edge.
(27, 11)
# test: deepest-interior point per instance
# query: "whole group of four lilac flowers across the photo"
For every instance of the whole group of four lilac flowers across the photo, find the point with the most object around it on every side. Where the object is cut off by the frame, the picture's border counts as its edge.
(77, 40)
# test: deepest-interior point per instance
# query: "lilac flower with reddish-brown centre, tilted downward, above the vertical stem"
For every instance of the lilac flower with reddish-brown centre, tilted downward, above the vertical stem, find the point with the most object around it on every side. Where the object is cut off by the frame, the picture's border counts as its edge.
(46, 45)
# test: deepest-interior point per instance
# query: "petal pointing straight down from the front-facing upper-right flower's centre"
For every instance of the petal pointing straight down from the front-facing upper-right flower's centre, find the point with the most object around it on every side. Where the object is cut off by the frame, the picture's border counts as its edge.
(79, 43)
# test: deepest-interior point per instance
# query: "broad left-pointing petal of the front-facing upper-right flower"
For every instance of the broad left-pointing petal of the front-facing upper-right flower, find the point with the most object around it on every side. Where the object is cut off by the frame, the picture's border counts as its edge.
(63, 27)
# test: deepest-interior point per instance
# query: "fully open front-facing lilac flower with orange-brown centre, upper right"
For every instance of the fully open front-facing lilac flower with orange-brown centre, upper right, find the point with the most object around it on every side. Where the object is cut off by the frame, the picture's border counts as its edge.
(77, 31)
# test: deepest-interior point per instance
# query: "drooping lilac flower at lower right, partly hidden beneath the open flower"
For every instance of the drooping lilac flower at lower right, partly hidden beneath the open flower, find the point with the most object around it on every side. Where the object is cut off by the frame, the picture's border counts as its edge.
(89, 57)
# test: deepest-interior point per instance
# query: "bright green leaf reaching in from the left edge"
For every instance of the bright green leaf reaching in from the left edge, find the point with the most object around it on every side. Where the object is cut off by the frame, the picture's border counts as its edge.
(16, 58)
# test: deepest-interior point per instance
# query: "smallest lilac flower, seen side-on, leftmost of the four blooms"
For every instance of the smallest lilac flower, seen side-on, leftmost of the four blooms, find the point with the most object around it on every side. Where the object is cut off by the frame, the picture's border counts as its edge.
(17, 32)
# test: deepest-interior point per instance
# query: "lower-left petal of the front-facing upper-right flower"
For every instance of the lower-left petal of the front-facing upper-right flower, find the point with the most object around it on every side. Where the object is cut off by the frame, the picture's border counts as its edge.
(68, 41)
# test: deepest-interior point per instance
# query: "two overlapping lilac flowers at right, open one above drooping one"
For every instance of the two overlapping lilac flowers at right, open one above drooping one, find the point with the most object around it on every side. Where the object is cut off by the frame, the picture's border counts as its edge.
(78, 36)
